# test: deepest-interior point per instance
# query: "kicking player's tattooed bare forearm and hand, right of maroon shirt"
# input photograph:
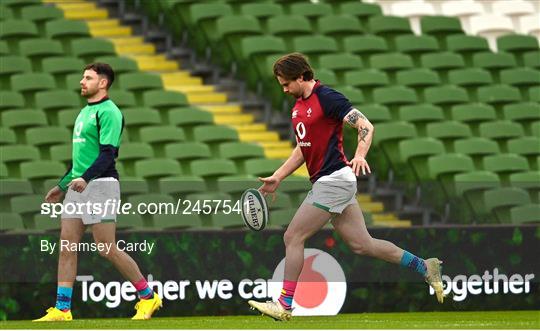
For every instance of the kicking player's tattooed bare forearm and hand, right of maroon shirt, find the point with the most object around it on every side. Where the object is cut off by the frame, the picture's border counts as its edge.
(365, 135)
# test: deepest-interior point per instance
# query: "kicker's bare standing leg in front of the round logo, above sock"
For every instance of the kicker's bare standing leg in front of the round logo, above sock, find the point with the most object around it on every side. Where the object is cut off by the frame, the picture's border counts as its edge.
(306, 222)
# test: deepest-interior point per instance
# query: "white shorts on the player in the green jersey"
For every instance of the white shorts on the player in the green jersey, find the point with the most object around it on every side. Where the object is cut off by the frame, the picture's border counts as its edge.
(91, 205)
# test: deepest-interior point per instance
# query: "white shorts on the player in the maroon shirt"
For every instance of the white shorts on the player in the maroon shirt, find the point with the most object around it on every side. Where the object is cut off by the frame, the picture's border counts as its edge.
(334, 192)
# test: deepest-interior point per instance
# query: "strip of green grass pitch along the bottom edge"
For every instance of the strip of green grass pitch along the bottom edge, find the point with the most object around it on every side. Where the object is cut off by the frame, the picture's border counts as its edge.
(439, 320)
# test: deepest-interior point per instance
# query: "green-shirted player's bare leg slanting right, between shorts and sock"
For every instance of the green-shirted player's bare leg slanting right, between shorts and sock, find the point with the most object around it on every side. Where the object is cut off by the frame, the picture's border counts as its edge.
(106, 233)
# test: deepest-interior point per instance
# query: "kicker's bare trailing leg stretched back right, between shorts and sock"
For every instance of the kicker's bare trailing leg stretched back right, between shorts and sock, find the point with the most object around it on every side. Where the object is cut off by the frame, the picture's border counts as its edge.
(350, 225)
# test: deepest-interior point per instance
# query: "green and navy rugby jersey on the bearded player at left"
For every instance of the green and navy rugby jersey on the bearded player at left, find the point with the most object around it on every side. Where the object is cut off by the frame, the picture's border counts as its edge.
(96, 140)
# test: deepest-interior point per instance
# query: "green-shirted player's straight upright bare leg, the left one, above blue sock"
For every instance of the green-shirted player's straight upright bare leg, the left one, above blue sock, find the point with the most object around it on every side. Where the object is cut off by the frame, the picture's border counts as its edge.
(72, 230)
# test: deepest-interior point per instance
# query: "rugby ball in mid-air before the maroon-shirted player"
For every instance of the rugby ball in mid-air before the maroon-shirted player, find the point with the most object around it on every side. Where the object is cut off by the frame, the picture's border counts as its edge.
(254, 209)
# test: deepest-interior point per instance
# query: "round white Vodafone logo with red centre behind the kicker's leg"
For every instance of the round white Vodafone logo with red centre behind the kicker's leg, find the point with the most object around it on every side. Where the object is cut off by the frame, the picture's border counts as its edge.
(321, 288)
